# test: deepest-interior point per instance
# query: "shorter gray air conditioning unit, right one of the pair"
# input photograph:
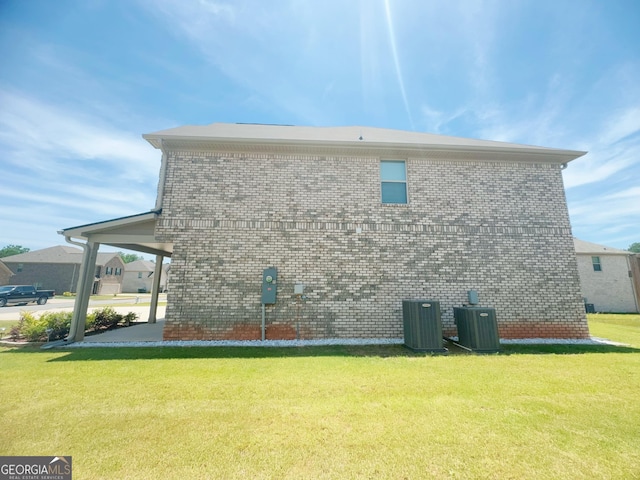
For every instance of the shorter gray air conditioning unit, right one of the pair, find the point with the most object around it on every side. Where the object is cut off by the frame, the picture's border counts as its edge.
(477, 328)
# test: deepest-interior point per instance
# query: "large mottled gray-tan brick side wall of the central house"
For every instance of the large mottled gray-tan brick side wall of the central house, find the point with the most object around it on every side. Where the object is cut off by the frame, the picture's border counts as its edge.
(499, 228)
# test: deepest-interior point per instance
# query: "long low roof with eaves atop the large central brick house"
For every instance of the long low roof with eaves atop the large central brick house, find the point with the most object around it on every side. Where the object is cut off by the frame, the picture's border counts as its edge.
(257, 136)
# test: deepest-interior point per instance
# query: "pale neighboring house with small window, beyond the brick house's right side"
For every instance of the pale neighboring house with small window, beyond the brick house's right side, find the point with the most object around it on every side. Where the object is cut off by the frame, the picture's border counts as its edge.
(606, 277)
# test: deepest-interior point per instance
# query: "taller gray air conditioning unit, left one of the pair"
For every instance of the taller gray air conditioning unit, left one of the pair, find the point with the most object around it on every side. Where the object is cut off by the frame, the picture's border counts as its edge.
(422, 325)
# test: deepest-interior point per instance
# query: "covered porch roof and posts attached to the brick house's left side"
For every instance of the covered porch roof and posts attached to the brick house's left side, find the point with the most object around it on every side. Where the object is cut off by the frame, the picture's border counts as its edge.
(136, 233)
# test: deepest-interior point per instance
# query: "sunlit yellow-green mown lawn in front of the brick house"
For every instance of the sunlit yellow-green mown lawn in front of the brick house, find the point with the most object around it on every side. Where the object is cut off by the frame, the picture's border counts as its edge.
(330, 412)
